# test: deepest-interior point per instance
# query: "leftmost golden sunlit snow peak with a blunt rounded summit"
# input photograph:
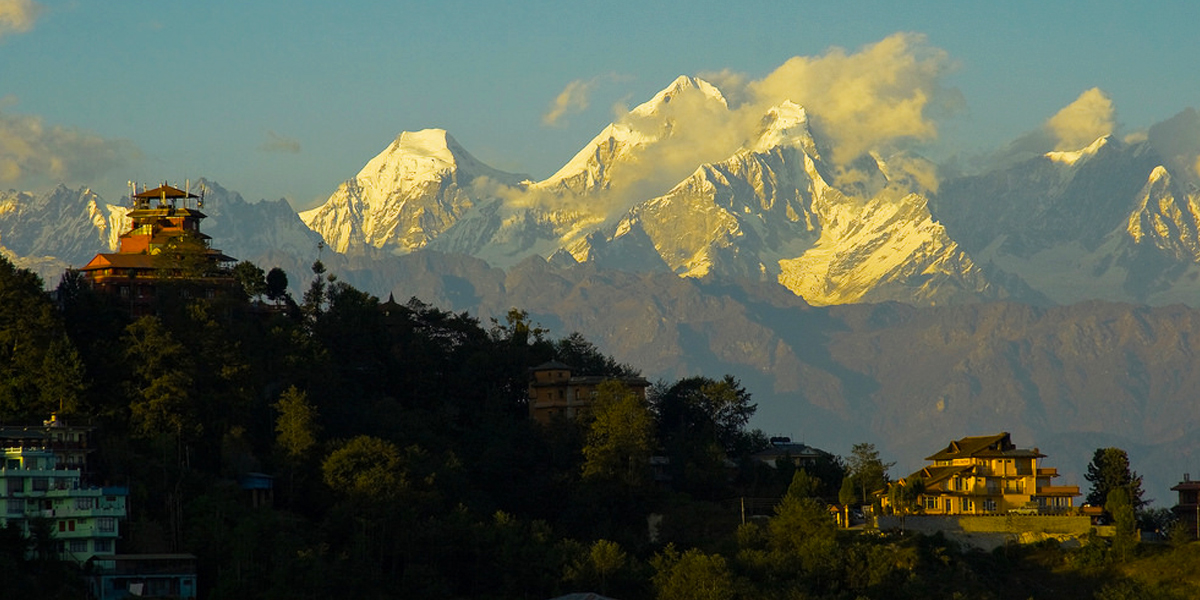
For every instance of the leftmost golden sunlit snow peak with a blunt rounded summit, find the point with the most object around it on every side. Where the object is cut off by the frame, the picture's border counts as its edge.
(406, 196)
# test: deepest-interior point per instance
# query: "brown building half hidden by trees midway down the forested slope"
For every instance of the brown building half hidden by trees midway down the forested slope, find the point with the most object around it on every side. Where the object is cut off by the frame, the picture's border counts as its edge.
(556, 392)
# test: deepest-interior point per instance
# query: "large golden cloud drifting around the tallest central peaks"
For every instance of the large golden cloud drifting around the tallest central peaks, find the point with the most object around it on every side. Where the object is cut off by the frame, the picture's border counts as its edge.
(884, 98)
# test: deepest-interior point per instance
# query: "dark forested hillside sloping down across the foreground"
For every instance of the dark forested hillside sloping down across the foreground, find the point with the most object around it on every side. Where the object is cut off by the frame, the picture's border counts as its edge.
(406, 464)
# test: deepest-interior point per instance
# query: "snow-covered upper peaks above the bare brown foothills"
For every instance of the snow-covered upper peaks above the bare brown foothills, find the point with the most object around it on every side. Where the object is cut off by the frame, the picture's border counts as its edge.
(1106, 221)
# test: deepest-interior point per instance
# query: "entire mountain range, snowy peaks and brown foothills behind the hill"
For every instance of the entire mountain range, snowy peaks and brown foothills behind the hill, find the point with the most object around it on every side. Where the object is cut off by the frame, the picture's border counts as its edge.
(865, 301)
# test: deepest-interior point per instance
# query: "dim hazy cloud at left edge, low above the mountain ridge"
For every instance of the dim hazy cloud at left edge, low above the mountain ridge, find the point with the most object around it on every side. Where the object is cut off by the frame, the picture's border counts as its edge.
(33, 154)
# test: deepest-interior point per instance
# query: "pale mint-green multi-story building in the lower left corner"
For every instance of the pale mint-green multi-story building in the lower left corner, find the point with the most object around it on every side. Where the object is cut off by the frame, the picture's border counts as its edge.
(83, 520)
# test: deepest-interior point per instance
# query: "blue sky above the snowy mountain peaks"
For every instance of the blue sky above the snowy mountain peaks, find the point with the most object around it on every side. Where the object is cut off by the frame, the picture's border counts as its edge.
(283, 100)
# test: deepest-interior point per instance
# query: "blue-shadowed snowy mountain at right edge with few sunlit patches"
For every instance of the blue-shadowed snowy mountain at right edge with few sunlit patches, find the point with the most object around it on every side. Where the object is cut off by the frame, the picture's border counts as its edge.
(1107, 221)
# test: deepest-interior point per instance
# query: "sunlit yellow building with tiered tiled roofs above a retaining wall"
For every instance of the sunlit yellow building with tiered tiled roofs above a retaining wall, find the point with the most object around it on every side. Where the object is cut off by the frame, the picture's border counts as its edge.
(989, 475)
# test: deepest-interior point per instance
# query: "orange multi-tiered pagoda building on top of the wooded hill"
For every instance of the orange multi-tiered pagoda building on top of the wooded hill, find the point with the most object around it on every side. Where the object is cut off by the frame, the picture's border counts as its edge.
(164, 248)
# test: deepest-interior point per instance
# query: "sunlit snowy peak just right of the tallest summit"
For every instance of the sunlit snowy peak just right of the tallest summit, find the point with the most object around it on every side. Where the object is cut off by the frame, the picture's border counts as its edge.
(771, 212)
